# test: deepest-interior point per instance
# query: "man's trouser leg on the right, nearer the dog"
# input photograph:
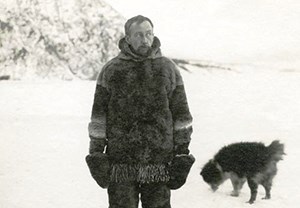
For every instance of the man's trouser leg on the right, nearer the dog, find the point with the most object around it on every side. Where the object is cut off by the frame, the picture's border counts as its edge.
(155, 195)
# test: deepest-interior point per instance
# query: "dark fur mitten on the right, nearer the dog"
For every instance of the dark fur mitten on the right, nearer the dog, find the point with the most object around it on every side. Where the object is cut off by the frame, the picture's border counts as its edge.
(179, 170)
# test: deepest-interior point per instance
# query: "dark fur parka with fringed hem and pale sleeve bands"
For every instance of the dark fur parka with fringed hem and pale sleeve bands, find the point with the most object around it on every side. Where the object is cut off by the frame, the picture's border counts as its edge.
(140, 115)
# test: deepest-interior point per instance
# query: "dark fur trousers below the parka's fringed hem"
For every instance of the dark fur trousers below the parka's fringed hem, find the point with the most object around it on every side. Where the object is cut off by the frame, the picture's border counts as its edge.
(128, 195)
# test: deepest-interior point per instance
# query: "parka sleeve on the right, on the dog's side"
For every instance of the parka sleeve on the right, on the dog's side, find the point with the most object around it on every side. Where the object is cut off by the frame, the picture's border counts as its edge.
(182, 118)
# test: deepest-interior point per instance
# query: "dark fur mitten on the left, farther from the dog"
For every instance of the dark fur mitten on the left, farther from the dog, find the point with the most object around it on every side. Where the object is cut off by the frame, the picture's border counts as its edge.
(99, 167)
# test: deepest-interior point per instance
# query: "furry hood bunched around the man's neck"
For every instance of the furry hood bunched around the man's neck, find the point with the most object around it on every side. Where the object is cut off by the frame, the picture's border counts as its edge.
(128, 54)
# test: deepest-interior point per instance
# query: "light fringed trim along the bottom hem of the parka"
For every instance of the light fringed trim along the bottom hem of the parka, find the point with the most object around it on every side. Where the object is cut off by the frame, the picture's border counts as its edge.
(140, 173)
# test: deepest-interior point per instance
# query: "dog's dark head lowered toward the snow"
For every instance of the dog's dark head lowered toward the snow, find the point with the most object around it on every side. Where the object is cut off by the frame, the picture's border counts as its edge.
(212, 174)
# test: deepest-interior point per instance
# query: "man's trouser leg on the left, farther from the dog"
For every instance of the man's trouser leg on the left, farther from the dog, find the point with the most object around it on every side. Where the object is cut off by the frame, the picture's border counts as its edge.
(123, 195)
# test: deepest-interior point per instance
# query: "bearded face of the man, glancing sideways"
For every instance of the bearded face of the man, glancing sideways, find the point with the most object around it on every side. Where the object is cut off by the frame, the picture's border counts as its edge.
(140, 37)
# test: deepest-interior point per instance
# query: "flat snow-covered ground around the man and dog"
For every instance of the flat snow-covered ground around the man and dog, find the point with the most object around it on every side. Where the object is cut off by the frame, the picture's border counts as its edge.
(44, 139)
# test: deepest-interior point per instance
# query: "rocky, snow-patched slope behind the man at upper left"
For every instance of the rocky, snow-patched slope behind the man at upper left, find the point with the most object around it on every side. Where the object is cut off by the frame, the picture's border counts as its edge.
(57, 39)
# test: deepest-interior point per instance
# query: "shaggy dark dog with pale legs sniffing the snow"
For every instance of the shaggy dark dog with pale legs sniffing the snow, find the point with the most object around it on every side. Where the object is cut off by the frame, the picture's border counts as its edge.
(246, 161)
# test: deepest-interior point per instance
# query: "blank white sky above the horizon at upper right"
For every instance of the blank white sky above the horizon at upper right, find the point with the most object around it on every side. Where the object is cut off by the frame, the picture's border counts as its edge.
(223, 30)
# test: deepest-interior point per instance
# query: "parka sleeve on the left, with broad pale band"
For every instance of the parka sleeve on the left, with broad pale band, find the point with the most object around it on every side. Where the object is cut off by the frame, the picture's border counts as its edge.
(97, 125)
